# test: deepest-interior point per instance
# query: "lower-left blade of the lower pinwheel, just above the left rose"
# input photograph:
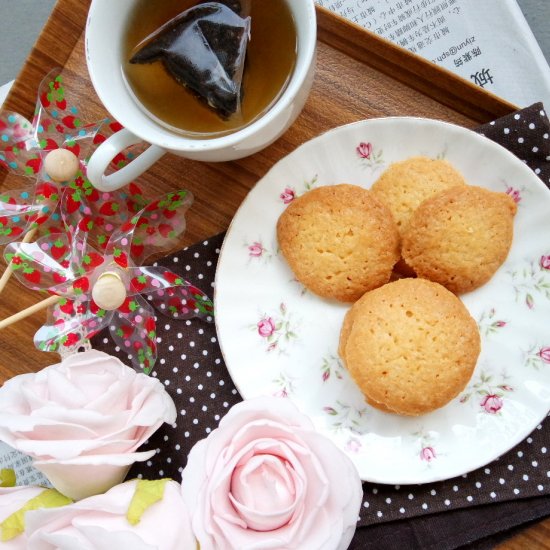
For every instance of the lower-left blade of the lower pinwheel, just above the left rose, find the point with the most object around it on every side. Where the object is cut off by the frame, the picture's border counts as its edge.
(70, 324)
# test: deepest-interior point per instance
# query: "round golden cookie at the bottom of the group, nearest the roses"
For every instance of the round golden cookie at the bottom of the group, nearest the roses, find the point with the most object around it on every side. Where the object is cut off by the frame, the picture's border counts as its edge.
(412, 346)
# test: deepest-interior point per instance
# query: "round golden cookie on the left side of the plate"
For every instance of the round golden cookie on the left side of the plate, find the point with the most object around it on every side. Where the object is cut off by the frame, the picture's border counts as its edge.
(339, 241)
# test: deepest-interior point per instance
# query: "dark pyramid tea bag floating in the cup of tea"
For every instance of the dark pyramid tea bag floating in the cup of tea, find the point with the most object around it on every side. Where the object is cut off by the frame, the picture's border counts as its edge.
(204, 49)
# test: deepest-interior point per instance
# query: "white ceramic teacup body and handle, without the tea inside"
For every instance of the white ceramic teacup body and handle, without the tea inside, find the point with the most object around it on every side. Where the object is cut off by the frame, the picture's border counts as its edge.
(105, 31)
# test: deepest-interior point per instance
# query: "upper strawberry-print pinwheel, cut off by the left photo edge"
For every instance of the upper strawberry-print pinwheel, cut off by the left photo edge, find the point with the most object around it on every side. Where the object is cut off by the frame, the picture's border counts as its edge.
(47, 154)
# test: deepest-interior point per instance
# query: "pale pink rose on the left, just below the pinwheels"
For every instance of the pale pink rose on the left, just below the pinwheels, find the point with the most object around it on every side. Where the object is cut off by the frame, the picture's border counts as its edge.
(83, 419)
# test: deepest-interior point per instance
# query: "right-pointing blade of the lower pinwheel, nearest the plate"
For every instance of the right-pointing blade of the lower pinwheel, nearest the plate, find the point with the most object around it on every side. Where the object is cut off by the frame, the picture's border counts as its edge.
(169, 293)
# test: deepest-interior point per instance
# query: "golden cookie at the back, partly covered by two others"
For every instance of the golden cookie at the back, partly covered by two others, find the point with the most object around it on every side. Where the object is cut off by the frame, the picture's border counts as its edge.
(404, 185)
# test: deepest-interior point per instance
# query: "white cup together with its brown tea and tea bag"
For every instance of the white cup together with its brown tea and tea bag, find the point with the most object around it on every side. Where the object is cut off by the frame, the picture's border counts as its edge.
(138, 63)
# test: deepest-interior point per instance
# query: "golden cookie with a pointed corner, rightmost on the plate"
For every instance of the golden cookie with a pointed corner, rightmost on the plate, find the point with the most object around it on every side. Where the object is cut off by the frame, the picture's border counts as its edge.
(460, 237)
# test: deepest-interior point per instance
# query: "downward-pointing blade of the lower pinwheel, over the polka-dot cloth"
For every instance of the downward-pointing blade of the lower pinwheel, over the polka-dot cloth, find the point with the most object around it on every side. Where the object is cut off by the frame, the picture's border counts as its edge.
(133, 328)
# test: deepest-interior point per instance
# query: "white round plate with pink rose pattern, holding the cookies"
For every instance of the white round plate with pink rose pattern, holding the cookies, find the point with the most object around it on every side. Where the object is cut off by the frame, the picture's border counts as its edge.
(279, 339)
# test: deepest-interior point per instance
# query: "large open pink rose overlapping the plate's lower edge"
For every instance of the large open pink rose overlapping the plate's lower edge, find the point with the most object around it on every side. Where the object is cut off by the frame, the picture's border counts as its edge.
(265, 478)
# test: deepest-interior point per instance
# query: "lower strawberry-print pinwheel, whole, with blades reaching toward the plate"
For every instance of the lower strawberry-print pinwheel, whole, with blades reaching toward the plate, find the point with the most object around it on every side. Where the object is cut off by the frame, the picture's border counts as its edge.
(105, 289)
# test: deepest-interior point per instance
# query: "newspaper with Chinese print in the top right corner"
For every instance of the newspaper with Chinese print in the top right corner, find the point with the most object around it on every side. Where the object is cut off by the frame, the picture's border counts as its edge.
(487, 42)
